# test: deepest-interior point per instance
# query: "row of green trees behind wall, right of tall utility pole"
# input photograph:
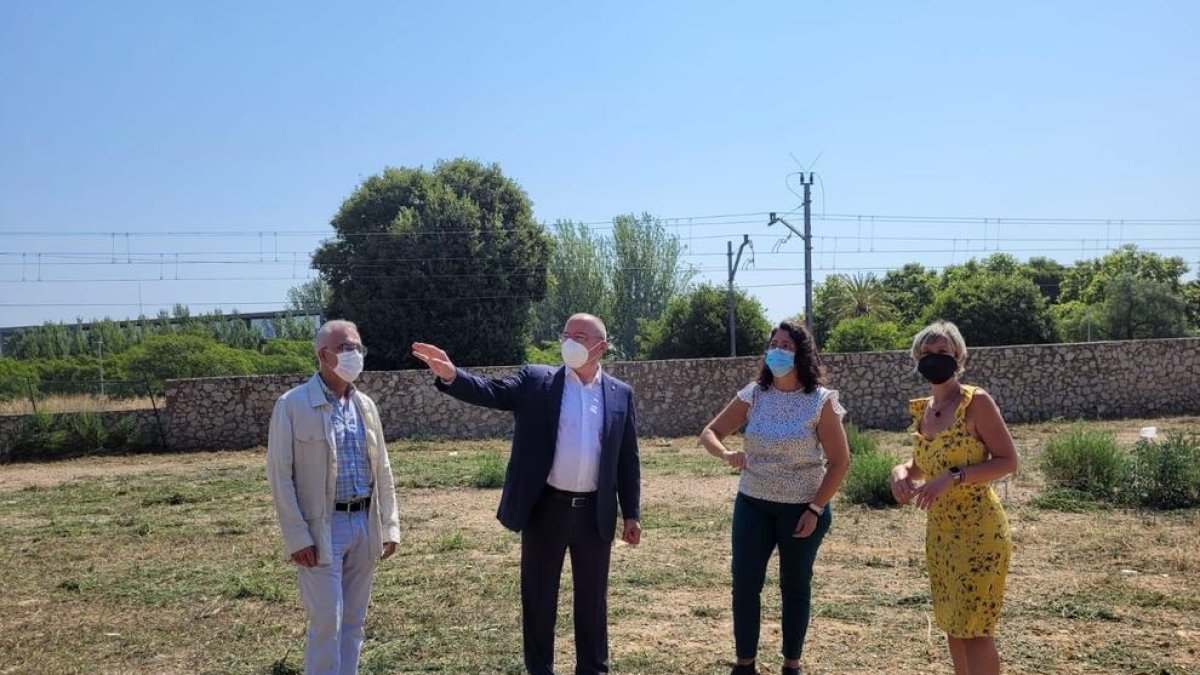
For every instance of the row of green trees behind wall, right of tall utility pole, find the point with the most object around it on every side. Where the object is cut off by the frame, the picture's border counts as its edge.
(1124, 296)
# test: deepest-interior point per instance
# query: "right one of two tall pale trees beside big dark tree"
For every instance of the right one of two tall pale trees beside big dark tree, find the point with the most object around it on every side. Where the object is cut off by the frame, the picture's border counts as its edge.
(647, 273)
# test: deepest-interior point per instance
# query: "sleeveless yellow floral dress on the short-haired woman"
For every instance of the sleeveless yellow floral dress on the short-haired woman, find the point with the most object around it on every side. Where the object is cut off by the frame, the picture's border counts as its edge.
(967, 536)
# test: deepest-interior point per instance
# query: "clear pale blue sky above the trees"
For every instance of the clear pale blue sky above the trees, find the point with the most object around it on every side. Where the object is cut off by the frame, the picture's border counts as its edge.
(225, 121)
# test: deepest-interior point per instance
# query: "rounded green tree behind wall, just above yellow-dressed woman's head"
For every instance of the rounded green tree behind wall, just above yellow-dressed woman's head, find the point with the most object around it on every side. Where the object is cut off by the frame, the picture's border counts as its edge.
(994, 309)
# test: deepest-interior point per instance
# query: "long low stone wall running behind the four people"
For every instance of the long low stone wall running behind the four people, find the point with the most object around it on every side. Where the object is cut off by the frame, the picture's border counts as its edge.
(677, 398)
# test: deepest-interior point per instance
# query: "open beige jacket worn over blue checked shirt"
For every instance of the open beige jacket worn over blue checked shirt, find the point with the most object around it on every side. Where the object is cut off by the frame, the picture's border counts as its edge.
(302, 470)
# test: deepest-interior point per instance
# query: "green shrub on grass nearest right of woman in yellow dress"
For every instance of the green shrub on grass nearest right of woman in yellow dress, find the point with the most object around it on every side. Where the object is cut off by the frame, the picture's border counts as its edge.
(1087, 462)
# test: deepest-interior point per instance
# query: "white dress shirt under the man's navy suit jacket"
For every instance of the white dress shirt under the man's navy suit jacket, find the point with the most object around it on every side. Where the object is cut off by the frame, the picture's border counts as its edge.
(577, 465)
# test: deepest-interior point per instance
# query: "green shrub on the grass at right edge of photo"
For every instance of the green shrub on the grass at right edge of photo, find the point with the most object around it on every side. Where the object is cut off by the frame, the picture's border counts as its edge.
(1166, 475)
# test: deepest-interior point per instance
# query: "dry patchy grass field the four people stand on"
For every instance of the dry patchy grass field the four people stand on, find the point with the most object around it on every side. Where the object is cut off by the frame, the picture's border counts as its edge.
(170, 564)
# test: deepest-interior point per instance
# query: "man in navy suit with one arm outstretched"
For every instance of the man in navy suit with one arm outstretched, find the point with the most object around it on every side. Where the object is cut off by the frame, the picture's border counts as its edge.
(574, 462)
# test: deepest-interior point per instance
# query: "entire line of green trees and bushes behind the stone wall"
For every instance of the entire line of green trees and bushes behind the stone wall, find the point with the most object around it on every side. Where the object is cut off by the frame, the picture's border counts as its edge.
(453, 256)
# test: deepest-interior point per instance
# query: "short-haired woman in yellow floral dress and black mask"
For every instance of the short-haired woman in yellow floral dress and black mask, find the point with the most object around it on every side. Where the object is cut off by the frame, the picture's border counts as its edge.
(961, 446)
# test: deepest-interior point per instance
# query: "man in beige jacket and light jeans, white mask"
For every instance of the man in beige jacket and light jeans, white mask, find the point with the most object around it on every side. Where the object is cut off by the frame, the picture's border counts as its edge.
(335, 498)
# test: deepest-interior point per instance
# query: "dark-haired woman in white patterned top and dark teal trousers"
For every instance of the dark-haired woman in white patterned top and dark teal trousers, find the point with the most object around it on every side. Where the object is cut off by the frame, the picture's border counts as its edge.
(795, 459)
